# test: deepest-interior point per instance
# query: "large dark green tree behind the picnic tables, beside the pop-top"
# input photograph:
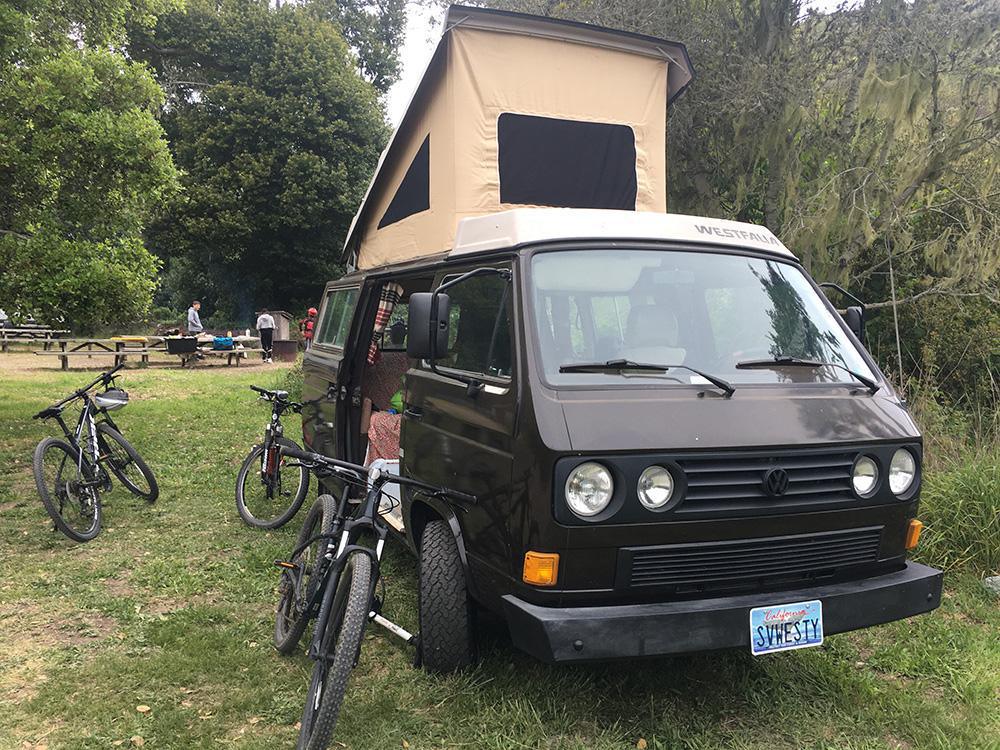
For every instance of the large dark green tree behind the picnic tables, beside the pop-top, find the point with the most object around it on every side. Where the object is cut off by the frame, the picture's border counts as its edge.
(276, 134)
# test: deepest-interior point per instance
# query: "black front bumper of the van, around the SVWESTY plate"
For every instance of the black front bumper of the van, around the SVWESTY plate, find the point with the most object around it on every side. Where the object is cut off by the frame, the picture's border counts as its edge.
(566, 634)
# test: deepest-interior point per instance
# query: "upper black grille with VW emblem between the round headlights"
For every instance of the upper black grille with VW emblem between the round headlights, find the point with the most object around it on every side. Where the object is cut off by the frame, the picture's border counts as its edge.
(736, 481)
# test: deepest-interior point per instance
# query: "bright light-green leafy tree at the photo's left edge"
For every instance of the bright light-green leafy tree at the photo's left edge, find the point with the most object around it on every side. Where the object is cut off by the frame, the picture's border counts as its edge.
(82, 164)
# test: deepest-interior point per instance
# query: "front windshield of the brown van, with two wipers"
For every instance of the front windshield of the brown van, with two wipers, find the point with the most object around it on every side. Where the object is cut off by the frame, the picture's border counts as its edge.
(704, 310)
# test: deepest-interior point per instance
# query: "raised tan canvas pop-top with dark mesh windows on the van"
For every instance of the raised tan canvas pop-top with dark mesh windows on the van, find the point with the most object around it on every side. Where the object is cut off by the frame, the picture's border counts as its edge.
(516, 110)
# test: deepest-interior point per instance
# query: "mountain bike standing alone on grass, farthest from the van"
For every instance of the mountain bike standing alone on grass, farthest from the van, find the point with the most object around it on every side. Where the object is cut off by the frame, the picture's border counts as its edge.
(72, 472)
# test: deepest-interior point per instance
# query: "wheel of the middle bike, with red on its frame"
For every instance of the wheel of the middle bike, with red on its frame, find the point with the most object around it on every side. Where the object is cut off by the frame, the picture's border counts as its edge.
(269, 492)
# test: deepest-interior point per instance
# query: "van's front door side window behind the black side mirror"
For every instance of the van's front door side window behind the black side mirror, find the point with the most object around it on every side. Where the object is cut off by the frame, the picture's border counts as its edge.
(480, 340)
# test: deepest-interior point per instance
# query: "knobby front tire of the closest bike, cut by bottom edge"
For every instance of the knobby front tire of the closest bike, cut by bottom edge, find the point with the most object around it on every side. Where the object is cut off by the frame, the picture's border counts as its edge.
(329, 683)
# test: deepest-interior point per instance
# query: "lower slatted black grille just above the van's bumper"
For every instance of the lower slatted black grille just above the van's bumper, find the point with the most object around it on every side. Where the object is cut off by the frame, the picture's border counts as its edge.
(749, 563)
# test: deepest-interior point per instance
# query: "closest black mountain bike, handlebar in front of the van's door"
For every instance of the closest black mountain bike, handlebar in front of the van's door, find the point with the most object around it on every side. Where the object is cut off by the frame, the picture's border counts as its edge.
(332, 576)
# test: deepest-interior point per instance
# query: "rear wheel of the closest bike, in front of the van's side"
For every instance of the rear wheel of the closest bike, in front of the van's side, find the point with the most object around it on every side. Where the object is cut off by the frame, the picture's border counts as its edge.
(289, 622)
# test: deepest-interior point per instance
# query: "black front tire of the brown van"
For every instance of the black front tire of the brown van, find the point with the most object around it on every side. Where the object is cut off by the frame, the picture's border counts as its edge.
(446, 619)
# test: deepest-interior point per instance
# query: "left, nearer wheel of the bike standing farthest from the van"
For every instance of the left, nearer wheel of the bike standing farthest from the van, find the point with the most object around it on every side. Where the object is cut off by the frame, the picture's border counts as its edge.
(70, 496)
